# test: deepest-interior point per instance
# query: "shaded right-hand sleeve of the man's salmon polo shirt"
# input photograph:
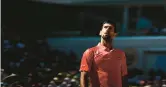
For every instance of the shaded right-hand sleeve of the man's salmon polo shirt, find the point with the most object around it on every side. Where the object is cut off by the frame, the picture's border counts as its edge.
(124, 65)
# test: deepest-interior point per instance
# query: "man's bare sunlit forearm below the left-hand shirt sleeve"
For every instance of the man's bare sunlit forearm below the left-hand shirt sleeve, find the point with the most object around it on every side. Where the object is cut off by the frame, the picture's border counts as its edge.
(84, 79)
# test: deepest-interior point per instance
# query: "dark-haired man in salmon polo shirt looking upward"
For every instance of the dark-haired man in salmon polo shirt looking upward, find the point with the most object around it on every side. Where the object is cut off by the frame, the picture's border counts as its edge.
(105, 65)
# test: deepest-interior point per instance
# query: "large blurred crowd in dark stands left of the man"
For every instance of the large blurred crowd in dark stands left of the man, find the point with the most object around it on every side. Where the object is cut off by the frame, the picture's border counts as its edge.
(30, 63)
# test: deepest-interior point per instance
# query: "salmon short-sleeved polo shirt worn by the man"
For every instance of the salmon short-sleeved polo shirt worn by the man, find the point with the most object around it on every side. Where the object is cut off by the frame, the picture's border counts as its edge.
(105, 67)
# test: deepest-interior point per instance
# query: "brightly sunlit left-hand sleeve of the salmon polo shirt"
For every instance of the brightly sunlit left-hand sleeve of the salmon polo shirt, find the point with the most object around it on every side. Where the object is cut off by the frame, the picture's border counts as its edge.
(86, 61)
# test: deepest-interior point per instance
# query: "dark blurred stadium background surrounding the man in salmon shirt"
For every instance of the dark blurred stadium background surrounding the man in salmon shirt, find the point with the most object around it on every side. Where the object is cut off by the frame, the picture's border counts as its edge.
(43, 40)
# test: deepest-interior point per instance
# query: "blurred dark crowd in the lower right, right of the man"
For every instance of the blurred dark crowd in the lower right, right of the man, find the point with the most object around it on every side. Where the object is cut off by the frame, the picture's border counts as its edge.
(152, 78)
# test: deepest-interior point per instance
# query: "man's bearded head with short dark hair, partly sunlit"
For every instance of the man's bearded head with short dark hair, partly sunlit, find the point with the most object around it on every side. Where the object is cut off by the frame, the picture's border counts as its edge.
(107, 31)
